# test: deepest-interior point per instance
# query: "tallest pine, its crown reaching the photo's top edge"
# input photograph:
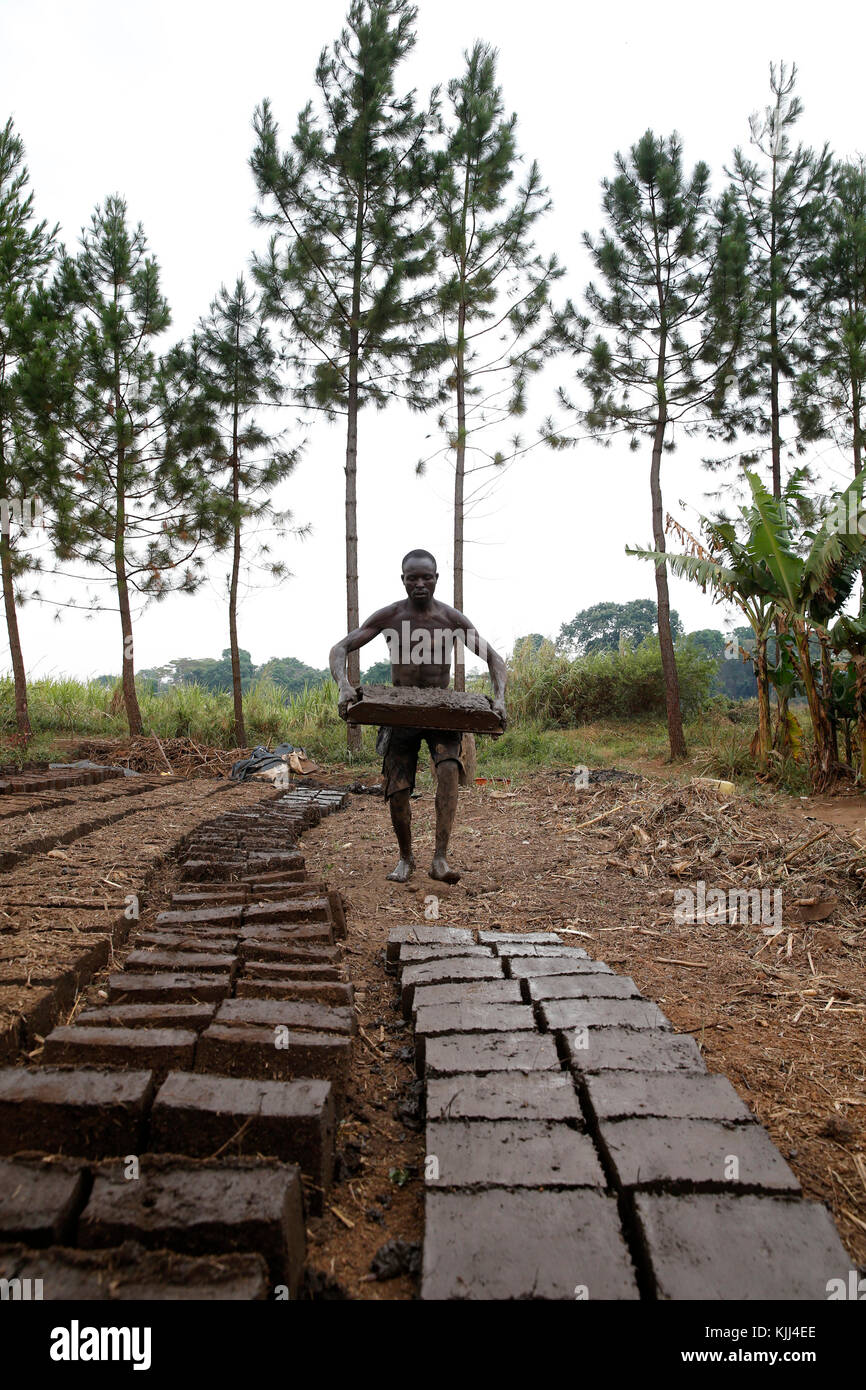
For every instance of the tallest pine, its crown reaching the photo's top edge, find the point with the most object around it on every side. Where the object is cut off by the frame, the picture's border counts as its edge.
(350, 259)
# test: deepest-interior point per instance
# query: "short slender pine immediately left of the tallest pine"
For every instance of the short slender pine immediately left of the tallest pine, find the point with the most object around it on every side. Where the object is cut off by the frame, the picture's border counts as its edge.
(233, 362)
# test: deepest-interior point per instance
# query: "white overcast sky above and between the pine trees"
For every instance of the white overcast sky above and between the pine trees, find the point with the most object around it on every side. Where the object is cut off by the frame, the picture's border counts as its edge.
(155, 101)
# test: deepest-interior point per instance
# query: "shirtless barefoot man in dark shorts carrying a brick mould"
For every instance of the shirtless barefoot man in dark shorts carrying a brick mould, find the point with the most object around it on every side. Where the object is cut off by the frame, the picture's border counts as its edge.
(420, 633)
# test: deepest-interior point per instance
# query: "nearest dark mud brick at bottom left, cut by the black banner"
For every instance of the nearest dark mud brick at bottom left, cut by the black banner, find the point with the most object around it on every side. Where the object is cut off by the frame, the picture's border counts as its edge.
(133, 1274)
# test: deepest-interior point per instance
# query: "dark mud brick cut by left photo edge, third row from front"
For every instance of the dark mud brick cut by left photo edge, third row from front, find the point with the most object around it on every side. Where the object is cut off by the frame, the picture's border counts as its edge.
(88, 1114)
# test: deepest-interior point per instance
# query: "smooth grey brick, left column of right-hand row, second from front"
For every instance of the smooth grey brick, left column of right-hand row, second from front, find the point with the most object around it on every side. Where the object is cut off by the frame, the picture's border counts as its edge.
(505, 1154)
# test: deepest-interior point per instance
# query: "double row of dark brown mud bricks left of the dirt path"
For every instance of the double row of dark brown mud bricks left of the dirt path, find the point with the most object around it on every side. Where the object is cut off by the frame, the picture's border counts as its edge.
(169, 1143)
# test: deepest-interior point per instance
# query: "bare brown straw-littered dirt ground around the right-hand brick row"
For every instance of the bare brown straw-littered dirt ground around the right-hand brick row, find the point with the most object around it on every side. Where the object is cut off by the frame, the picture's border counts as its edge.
(781, 1017)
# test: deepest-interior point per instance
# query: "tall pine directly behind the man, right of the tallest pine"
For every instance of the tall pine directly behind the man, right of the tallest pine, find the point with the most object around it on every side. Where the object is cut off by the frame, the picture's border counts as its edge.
(494, 288)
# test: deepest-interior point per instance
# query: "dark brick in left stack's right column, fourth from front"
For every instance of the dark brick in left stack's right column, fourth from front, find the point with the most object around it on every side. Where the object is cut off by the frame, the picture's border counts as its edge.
(262, 1054)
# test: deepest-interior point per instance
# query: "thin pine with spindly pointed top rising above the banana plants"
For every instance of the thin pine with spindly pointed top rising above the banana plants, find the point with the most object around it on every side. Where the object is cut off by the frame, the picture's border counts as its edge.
(782, 201)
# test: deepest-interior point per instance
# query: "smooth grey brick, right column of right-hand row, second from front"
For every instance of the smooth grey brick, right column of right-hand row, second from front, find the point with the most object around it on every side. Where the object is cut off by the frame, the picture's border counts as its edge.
(696, 1154)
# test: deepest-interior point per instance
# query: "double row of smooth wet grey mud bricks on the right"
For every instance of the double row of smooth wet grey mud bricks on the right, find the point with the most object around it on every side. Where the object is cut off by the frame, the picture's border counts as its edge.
(578, 1147)
